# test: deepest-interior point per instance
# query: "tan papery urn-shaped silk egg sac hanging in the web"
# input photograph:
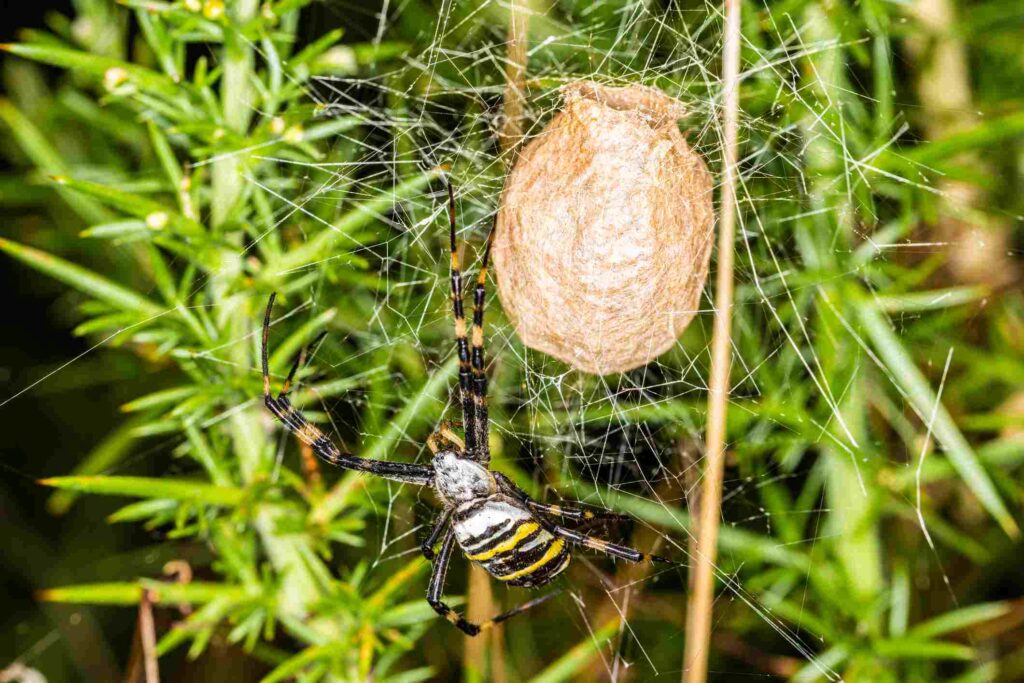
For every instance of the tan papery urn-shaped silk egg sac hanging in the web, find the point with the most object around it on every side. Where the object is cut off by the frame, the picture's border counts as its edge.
(605, 231)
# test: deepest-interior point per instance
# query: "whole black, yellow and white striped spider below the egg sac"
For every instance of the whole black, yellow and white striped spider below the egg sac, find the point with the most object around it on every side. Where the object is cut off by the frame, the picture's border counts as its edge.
(495, 524)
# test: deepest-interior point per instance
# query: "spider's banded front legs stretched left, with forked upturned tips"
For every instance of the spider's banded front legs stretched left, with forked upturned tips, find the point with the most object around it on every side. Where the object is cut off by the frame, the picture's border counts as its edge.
(318, 441)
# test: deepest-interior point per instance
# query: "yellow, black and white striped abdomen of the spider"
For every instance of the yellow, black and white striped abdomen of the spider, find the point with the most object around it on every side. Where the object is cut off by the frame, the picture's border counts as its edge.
(507, 541)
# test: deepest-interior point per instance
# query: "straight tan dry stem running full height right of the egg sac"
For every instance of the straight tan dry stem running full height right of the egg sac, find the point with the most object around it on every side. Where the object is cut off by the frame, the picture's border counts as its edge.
(699, 614)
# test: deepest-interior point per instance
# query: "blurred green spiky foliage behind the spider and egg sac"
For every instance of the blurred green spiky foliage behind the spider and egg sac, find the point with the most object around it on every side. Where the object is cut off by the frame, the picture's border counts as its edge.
(167, 165)
